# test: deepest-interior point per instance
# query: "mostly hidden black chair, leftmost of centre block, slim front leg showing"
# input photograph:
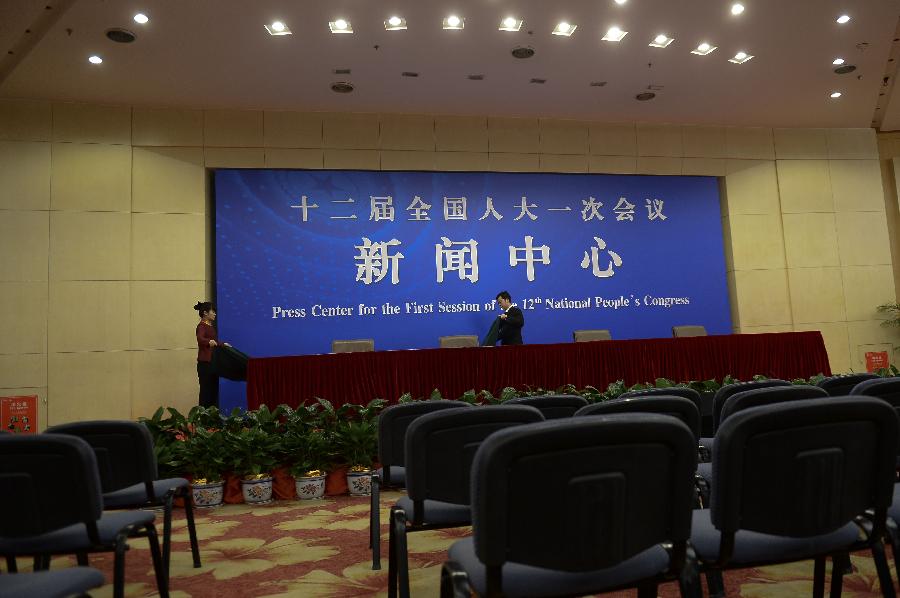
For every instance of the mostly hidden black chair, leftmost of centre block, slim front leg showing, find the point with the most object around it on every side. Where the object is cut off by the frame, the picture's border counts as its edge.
(392, 425)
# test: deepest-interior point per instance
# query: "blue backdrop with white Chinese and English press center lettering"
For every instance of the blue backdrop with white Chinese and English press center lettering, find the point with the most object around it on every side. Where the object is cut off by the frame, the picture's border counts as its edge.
(305, 257)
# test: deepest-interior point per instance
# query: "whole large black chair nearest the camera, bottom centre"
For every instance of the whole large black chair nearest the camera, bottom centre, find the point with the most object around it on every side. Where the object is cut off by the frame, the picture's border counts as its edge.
(578, 506)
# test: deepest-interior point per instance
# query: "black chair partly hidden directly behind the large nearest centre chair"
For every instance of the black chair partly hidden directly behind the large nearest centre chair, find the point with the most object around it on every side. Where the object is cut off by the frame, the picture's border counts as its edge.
(439, 451)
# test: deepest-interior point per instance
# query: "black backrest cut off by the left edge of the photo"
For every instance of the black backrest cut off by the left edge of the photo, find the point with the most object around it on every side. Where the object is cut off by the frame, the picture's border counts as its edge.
(47, 482)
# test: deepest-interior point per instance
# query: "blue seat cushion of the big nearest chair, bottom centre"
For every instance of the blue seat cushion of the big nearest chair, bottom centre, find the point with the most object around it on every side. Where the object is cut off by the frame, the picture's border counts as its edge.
(525, 580)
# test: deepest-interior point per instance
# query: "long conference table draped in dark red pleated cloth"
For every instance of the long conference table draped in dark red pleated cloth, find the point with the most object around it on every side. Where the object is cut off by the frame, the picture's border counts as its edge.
(360, 377)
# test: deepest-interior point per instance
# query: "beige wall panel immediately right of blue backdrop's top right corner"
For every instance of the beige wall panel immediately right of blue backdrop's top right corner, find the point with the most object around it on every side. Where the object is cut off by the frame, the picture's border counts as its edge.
(751, 187)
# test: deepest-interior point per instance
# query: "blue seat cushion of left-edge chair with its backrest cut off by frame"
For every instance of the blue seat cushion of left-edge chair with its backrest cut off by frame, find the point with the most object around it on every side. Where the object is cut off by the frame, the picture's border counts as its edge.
(75, 537)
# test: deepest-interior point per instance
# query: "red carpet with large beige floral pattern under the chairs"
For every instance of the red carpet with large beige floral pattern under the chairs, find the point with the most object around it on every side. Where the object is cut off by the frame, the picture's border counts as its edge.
(319, 548)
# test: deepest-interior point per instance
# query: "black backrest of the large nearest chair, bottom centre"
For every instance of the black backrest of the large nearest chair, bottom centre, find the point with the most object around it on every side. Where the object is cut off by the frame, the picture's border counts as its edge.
(618, 485)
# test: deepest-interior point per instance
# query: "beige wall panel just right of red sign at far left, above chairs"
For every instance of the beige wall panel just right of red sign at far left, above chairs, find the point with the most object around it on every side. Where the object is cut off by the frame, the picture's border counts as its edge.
(86, 386)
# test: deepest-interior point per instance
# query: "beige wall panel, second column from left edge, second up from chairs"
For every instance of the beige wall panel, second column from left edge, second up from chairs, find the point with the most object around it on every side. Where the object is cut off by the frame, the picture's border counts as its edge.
(89, 316)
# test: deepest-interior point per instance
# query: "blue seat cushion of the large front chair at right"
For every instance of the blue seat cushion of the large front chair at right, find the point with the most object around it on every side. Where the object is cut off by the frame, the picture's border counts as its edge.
(752, 548)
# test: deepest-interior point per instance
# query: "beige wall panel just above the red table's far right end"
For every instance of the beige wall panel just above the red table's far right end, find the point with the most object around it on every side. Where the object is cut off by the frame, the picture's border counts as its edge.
(816, 295)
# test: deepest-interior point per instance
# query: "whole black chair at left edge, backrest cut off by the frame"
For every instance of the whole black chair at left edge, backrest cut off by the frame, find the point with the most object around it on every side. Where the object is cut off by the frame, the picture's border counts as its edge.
(50, 482)
